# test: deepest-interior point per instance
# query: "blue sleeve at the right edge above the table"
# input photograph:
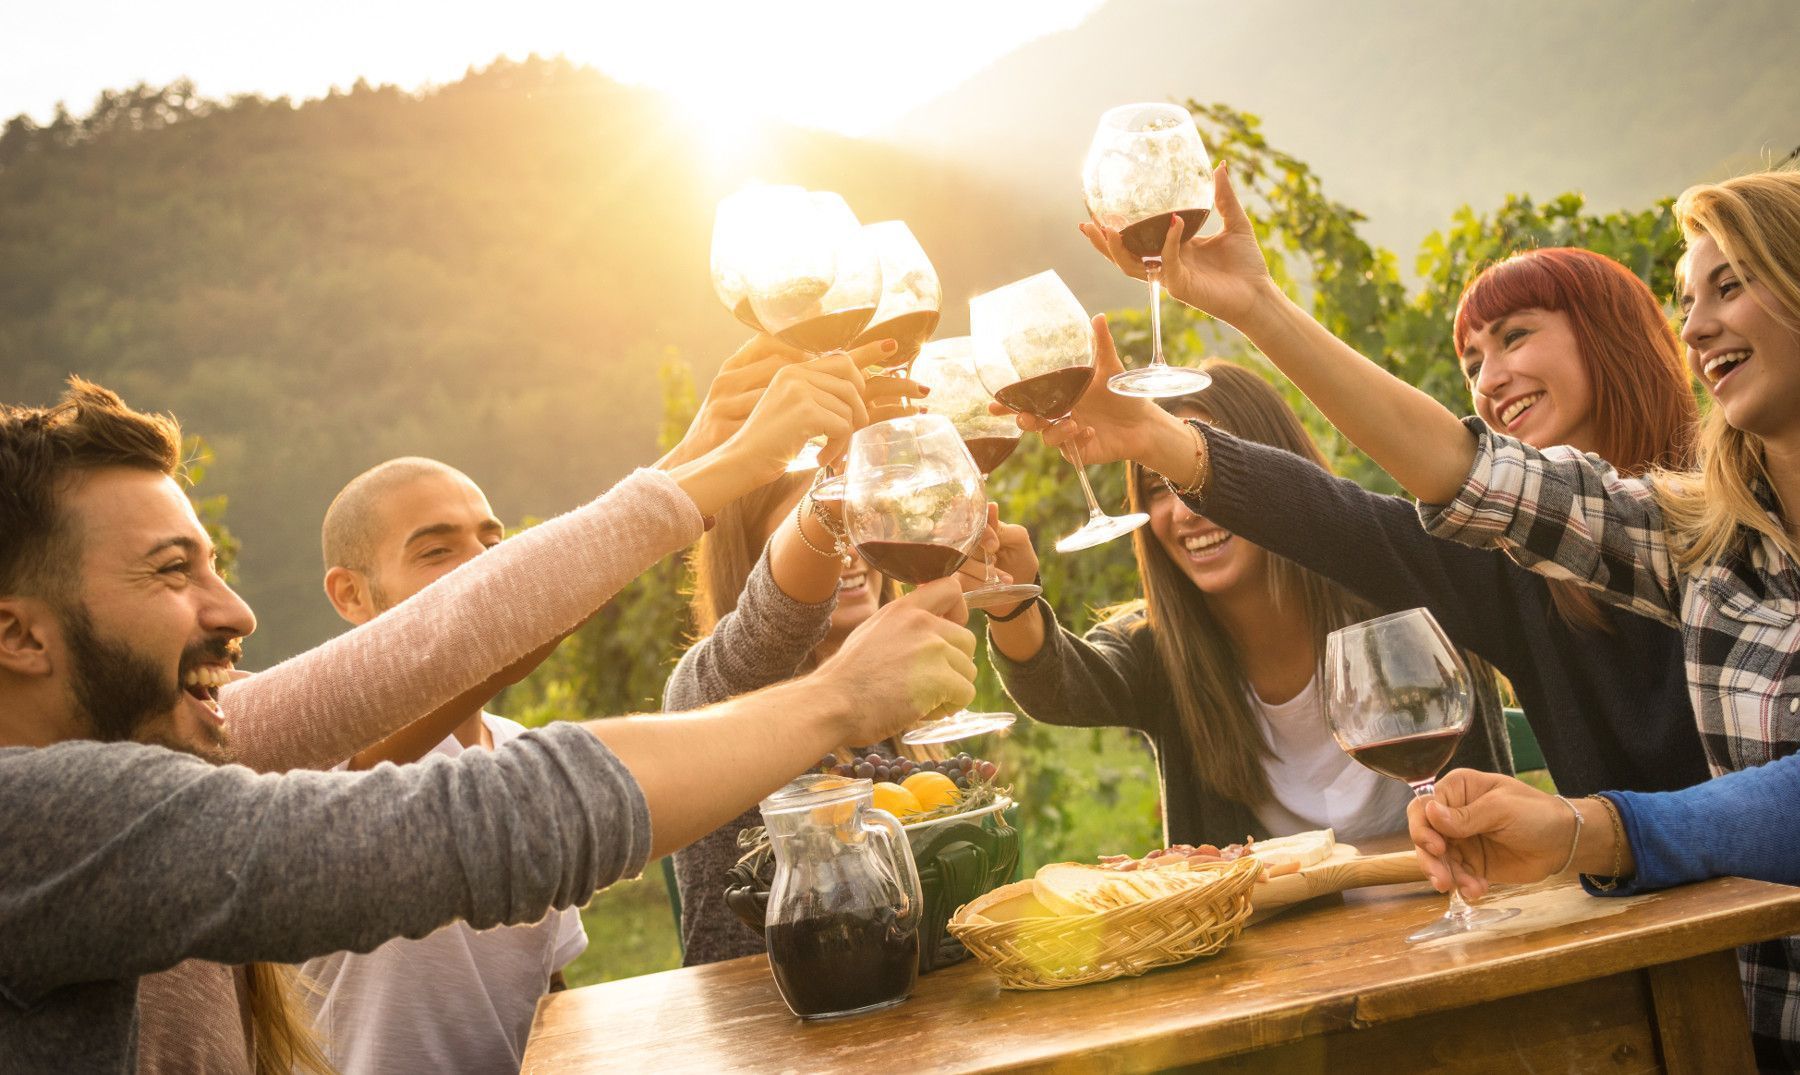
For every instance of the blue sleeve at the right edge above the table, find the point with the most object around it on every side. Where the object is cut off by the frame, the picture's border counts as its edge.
(1736, 826)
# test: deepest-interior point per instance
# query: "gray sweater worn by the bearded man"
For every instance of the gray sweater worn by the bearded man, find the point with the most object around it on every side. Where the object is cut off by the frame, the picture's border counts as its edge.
(121, 860)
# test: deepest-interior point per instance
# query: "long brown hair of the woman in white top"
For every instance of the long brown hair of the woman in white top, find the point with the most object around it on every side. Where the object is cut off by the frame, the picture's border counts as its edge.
(1198, 655)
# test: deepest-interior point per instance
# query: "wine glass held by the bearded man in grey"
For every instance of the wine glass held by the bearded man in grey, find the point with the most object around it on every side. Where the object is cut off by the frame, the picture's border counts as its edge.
(915, 510)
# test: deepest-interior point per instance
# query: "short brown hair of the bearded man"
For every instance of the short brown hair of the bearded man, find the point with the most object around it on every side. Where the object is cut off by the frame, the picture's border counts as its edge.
(48, 449)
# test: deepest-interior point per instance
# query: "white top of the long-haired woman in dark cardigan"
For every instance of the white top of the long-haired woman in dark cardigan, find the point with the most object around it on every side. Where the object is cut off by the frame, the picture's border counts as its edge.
(1315, 784)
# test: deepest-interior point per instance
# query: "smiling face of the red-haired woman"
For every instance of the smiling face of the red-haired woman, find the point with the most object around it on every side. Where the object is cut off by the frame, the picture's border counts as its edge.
(1529, 381)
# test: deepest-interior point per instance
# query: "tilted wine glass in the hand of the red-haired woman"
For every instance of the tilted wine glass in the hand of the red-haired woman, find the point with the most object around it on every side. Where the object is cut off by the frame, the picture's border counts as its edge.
(1043, 361)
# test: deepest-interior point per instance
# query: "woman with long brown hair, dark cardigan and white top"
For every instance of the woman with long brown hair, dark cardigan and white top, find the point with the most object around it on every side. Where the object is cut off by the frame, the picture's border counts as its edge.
(1219, 664)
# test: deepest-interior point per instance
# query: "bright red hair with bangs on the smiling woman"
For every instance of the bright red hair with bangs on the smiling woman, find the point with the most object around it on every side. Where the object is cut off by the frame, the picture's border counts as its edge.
(1644, 408)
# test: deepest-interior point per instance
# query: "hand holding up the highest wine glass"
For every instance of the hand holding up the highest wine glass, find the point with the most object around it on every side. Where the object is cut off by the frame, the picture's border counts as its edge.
(1223, 275)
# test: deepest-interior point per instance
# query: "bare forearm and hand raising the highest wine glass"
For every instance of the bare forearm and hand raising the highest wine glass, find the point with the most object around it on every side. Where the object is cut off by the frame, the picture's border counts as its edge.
(1403, 429)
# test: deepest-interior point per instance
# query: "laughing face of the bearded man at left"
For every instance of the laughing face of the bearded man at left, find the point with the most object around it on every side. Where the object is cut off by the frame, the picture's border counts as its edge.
(154, 629)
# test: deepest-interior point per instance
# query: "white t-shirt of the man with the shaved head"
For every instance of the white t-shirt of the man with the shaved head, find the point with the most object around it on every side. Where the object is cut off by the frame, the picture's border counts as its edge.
(460, 1000)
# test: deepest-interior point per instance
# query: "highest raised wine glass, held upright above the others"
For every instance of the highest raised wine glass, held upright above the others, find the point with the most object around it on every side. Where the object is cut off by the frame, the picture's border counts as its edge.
(1147, 165)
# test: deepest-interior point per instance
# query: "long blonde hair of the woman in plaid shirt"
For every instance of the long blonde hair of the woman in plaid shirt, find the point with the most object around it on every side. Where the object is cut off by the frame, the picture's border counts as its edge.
(1756, 222)
